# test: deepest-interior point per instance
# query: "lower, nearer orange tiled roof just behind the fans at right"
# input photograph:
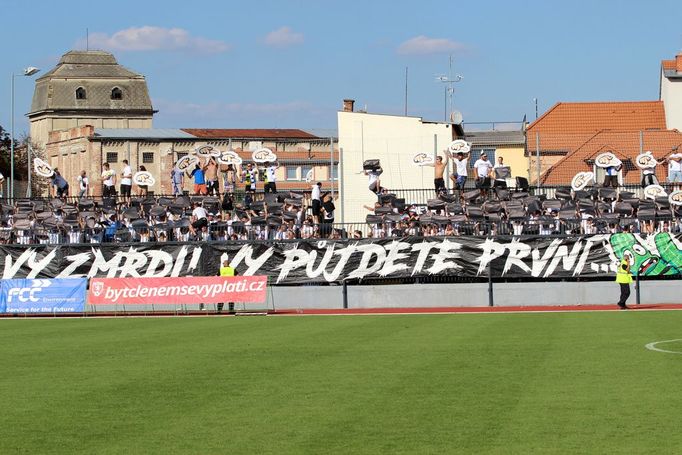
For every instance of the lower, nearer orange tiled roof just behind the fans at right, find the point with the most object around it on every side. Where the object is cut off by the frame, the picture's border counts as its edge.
(624, 144)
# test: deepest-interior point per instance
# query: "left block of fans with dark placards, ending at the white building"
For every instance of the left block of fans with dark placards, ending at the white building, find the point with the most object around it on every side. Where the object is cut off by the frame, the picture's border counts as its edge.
(163, 219)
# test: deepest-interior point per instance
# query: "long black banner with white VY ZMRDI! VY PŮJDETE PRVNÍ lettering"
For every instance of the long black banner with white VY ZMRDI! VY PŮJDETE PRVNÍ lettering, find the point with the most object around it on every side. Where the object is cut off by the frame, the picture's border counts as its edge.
(336, 261)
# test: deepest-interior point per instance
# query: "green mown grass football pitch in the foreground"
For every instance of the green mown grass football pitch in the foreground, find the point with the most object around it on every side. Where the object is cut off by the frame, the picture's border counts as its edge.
(457, 383)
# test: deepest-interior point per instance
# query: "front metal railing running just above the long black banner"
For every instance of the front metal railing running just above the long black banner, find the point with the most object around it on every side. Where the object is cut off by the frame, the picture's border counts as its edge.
(116, 232)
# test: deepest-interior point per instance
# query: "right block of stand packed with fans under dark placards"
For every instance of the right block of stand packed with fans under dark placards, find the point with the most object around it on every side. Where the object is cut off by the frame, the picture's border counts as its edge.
(505, 212)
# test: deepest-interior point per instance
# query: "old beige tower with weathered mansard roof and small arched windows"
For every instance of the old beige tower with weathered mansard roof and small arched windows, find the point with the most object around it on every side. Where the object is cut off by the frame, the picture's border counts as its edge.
(88, 88)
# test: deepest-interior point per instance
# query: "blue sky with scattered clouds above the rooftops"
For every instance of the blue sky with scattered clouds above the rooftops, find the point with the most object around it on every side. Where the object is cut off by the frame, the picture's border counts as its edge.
(288, 64)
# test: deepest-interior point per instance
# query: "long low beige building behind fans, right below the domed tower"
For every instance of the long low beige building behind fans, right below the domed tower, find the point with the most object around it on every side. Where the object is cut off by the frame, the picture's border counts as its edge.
(87, 148)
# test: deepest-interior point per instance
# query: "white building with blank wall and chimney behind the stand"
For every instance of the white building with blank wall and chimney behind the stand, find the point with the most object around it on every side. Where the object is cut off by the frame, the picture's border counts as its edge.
(392, 139)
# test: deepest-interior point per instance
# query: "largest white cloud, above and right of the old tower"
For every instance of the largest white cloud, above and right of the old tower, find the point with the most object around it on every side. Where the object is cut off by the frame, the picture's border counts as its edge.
(150, 38)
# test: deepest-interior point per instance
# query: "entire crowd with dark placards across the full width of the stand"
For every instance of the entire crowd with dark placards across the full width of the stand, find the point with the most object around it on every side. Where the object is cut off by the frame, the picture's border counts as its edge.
(278, 216)
